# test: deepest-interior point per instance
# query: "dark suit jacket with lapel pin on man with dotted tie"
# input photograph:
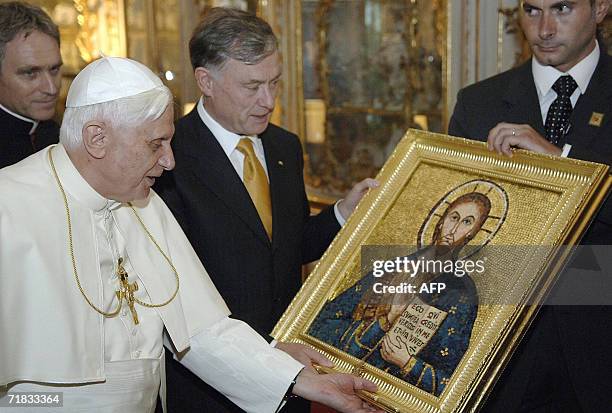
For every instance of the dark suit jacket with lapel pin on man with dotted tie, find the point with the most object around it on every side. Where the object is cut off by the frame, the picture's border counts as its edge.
(512, 97)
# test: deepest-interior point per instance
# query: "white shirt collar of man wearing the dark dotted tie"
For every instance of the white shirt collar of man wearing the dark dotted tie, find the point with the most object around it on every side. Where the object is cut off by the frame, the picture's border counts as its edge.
(545, 76)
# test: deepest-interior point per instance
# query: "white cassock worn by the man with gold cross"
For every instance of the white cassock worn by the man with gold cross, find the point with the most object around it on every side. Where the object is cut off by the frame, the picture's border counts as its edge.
(51, 336)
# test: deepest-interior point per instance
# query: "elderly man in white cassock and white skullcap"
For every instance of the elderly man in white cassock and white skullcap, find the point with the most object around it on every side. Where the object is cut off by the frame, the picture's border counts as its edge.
(94, 269)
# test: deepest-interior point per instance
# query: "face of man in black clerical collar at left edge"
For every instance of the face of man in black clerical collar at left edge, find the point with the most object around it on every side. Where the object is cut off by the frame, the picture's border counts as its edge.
(30, 75)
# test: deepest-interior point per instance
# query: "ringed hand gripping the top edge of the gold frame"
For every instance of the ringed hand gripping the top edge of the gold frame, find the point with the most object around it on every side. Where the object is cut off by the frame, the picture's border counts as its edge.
(504, 136)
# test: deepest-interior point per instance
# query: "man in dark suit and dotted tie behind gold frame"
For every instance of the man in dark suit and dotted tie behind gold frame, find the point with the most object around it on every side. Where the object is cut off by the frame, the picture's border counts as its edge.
(563, 363)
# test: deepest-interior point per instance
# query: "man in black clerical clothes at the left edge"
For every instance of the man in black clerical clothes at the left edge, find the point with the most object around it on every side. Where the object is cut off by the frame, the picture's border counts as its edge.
(30, 63)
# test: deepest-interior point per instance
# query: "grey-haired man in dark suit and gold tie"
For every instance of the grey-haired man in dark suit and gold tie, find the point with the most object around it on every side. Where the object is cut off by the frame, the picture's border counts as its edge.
(238, 189)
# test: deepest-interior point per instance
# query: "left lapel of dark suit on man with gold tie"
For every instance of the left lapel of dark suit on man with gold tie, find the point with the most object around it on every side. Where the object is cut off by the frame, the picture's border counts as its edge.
(213, 168)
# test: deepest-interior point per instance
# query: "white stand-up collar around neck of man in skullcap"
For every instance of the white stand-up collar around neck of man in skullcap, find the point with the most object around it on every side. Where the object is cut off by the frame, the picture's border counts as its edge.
(74, 183)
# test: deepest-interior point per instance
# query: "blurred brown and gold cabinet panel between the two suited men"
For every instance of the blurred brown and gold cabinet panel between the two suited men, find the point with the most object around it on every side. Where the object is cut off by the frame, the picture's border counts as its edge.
(377, 67)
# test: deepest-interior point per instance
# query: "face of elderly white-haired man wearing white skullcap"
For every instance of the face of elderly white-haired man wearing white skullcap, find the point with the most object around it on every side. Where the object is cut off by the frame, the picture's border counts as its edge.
(136, 157)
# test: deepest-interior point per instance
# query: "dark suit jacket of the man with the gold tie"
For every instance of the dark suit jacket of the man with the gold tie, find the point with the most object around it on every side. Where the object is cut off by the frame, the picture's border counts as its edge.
(256, 277)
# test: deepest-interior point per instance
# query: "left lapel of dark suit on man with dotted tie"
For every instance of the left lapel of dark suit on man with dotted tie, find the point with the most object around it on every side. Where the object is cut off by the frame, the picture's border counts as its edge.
(522, 99)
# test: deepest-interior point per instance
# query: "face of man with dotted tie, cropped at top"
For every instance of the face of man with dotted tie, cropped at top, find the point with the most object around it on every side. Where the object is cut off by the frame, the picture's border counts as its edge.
(561, 33)
